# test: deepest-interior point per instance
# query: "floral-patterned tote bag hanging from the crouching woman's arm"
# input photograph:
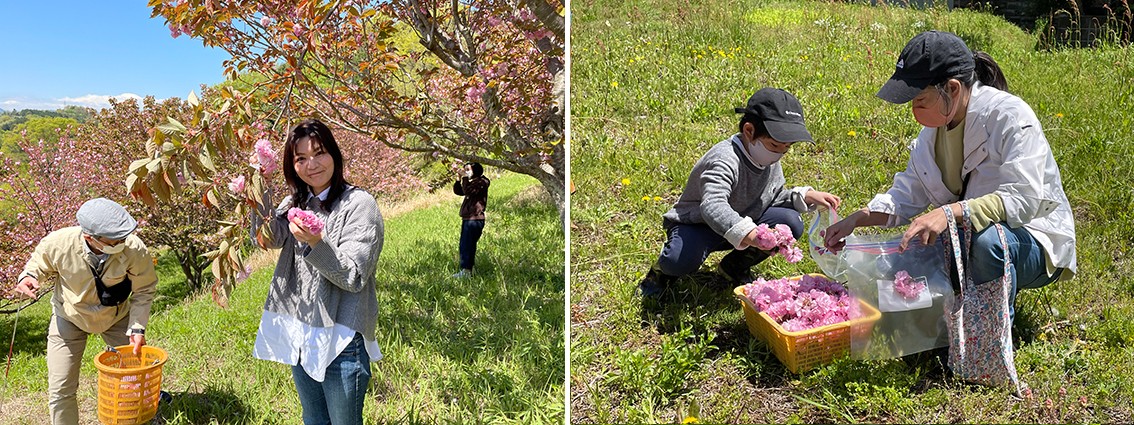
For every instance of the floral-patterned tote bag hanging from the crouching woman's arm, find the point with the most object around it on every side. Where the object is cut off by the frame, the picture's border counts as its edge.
(978, 319)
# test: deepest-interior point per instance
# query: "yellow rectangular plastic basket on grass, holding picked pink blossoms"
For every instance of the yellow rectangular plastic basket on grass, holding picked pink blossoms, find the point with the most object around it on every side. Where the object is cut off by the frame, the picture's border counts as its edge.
(806, 350)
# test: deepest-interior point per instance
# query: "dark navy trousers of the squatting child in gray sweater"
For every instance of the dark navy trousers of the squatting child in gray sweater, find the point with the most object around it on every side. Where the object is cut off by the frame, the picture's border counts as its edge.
(689, 245)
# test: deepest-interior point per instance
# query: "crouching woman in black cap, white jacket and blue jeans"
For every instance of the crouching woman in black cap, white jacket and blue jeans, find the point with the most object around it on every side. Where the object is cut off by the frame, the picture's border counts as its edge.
(981, 146)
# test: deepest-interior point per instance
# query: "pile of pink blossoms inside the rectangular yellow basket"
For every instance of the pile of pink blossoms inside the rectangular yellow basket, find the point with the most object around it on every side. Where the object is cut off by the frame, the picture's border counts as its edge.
(802, 304)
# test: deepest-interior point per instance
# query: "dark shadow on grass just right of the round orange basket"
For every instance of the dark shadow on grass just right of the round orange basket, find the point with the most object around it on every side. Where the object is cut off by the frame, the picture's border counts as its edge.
(211, 406)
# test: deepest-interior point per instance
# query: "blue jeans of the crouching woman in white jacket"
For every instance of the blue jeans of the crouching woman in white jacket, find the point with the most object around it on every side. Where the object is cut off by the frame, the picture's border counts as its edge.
(1028, 269)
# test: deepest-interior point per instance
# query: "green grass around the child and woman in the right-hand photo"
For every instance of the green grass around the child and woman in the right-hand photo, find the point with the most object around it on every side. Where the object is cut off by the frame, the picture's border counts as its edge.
(654, 87)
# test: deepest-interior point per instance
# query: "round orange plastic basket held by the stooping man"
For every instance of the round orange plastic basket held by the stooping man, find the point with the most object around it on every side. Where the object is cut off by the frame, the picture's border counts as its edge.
(130, 388)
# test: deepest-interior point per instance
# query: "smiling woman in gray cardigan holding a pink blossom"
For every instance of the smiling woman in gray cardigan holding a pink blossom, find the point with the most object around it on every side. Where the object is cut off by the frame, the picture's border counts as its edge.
(323, 309)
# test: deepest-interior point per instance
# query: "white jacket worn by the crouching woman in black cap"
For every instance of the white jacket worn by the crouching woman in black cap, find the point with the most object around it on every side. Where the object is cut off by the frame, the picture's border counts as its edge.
(1005, 154)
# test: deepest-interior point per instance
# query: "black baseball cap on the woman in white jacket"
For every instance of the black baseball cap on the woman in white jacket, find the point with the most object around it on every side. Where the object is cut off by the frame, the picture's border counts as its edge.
(928, 59)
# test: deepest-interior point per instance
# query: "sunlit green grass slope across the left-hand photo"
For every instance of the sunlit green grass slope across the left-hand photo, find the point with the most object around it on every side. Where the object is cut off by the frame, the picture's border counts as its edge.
(488, 350)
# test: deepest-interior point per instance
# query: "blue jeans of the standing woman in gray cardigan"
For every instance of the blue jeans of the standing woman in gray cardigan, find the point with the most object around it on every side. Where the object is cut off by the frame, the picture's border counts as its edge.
(340, 398)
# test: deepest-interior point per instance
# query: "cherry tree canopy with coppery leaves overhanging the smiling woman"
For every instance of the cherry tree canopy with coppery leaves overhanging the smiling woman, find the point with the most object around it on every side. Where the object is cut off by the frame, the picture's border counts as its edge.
(481, 86)
